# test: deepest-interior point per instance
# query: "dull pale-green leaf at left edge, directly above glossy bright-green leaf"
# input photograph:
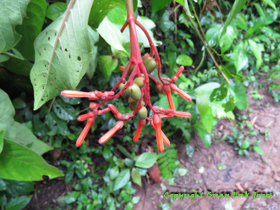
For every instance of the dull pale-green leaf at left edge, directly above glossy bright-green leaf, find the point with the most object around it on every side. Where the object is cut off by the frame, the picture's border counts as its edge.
(14, 130)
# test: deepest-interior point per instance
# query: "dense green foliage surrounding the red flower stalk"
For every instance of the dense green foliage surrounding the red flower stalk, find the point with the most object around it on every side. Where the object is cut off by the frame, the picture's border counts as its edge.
(49, 47)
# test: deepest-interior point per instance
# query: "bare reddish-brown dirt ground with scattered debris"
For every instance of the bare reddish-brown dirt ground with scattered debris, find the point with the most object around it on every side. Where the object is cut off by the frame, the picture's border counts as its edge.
(254, 173)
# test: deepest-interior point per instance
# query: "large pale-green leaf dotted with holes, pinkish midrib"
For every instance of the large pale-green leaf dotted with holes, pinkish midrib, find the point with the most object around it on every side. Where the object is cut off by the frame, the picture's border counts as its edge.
(61, 53)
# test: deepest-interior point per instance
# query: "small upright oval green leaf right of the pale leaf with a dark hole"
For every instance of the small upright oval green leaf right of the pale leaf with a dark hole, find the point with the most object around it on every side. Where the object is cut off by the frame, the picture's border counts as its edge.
(240, 96)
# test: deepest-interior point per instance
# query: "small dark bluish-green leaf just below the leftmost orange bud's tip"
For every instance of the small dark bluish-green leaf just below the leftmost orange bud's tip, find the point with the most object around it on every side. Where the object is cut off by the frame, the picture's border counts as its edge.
(64, 111)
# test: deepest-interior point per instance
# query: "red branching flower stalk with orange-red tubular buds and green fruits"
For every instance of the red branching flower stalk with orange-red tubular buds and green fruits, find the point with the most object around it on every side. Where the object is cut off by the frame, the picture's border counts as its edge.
(135, 86)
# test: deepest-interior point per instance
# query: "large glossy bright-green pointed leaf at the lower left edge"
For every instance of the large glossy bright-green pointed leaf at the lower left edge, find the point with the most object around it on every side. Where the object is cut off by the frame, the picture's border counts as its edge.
(20, 163)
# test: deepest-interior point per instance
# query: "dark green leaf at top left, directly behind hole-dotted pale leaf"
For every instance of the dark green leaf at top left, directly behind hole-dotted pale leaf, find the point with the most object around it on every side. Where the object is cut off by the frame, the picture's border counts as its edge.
(31, 27)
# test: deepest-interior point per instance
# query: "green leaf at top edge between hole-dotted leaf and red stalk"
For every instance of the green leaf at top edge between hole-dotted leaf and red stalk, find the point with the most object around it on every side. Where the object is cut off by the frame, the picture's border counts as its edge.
(100, 9)
